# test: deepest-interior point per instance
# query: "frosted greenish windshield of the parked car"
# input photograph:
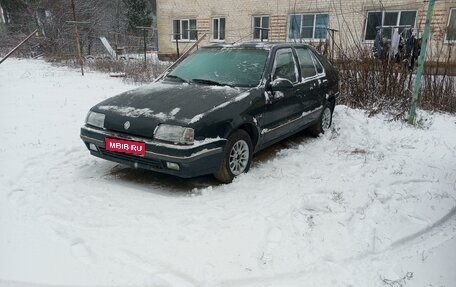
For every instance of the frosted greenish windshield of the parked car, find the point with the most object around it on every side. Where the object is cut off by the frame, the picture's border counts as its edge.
(222, 66)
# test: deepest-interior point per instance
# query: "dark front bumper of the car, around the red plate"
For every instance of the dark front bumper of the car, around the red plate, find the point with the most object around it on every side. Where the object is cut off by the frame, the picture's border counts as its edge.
(203, 157)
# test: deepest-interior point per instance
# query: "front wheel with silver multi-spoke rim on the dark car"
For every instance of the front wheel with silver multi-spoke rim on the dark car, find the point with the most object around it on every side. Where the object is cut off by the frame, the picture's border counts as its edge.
(237, 156)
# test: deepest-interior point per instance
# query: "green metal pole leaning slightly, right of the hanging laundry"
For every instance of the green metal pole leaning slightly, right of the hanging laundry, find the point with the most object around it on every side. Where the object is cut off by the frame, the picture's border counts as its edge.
(419, 72)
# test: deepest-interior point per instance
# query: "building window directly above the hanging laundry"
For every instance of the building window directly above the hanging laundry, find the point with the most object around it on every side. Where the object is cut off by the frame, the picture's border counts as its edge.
(388, 20)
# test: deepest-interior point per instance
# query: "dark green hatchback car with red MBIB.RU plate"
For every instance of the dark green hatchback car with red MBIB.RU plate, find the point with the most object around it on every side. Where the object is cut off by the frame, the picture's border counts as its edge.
(215, 109)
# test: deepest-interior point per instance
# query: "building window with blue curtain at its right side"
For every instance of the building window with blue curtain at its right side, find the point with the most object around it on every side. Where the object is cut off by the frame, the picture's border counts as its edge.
(308, 26)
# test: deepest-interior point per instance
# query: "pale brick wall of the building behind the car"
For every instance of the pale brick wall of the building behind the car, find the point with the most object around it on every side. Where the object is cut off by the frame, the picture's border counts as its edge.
(349, 17)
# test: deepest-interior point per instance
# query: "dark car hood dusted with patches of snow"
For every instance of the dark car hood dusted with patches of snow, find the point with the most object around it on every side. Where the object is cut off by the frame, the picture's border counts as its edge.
(163, 102)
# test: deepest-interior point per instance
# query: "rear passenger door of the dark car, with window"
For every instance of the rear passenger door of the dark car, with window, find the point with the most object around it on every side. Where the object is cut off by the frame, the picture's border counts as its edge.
(311, 85)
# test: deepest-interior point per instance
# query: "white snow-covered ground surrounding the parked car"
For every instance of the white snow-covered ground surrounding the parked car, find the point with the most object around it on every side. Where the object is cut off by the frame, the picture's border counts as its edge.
(371, 203)
